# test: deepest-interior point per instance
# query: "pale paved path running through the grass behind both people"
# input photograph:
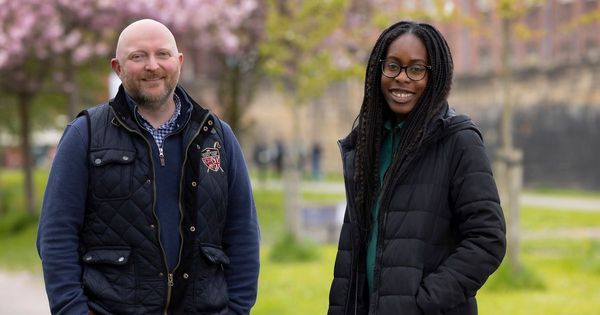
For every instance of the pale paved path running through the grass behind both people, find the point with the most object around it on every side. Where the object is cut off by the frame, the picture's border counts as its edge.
(23, 293)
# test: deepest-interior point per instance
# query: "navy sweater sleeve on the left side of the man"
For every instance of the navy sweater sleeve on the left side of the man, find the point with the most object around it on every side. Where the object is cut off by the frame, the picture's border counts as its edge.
(61, 219)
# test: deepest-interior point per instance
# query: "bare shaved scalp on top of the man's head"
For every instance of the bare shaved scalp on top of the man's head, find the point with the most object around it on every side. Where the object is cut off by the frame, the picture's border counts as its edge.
(139, 30)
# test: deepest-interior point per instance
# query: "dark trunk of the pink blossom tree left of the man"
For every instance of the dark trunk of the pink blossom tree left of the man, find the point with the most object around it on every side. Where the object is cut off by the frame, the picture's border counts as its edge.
(24, 108)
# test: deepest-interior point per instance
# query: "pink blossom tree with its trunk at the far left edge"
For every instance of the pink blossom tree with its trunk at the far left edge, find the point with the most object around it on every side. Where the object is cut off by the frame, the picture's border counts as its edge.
(38, 38)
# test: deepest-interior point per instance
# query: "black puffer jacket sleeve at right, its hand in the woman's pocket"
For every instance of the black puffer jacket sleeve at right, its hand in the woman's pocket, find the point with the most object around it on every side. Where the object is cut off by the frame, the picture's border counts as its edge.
(480, 225)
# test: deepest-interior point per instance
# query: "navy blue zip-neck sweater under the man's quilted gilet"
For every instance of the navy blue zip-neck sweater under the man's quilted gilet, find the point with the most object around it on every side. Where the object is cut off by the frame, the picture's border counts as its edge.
(64, 206)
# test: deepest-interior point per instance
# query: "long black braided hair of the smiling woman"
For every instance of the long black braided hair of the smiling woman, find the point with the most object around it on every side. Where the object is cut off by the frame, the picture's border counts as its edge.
(375, 110)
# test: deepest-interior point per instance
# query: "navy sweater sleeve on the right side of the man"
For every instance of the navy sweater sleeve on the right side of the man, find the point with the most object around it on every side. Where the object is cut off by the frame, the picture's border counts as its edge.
(241, 237)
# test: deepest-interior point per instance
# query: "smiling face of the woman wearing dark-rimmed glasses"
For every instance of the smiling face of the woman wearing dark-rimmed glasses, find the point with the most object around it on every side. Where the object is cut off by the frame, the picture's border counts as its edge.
(402, 92)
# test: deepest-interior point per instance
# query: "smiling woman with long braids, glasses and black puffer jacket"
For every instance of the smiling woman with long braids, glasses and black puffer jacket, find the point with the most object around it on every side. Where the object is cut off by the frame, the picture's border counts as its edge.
(423, 228)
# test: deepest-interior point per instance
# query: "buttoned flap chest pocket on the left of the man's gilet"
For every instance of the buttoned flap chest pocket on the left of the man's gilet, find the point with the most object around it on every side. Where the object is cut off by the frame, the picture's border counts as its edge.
(111, 173)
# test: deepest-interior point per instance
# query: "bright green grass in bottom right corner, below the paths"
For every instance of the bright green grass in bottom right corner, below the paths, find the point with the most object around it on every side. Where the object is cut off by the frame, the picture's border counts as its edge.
(571, 274)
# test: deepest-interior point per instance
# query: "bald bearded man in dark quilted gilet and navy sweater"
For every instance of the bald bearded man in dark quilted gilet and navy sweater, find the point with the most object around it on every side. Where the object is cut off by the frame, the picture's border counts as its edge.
(148, 207)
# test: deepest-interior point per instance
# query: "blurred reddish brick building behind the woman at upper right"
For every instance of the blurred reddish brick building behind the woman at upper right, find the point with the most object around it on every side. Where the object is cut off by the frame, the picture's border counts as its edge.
(547, 33)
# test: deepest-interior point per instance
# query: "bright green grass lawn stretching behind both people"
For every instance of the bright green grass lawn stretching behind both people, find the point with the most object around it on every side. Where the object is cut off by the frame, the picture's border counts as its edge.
(568, 270)
